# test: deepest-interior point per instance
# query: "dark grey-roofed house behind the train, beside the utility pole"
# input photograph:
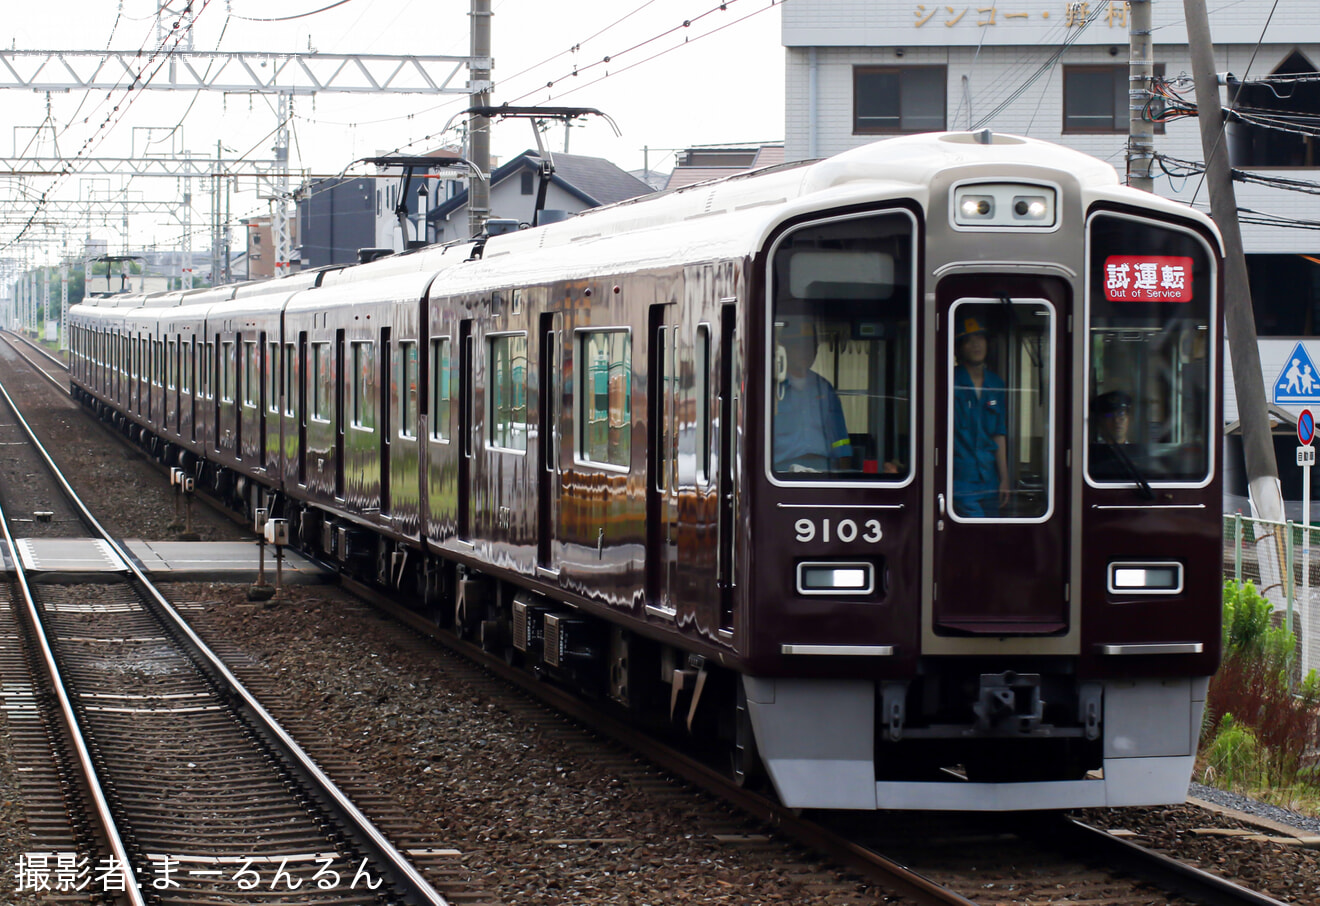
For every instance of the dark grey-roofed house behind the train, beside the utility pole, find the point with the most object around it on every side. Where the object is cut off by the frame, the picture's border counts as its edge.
(579, 183)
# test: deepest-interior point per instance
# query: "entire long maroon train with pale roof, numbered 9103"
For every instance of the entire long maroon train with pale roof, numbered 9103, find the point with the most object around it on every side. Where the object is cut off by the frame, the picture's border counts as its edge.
(729, 458)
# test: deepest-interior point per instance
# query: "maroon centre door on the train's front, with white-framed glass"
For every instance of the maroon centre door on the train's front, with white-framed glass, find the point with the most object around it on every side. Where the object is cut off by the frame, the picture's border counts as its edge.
(1001, 479)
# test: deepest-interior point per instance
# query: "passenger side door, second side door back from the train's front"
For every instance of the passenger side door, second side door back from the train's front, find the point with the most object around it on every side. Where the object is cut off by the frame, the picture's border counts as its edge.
(662, 458)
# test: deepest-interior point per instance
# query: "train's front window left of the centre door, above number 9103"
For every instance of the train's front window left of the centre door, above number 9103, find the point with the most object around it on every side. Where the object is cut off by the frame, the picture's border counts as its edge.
(841, 352)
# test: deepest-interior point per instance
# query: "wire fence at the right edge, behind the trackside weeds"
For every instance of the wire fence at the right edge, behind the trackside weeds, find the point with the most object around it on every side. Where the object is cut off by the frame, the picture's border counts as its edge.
(1282, 559)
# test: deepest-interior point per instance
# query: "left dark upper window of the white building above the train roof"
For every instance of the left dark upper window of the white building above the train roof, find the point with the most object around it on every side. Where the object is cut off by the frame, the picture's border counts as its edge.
(900, 100)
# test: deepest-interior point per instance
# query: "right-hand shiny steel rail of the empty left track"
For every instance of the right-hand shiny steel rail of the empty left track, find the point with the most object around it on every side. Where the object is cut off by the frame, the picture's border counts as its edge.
(419, 889)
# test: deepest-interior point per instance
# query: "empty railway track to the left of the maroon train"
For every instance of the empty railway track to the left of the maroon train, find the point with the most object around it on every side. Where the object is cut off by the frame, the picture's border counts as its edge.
(184, 788)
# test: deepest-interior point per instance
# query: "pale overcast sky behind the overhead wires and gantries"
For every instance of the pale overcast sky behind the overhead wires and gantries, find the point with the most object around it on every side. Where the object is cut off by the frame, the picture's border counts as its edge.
(719, 80)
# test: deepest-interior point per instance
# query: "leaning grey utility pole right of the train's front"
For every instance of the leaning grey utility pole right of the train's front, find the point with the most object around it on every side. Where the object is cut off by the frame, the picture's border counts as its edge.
(1263, 470)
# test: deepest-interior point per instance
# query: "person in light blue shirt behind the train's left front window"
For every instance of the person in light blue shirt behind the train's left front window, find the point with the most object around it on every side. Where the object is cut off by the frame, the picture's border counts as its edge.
(811, 434)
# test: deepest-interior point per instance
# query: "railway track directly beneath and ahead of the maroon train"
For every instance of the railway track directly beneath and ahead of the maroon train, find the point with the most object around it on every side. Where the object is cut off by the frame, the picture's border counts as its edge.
(952, 864)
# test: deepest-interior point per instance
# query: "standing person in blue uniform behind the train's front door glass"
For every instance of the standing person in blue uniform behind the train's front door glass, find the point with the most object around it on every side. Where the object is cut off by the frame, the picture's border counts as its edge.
(980, 427)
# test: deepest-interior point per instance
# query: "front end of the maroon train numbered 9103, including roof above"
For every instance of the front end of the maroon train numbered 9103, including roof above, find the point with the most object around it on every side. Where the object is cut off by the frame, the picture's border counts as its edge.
(984, 501)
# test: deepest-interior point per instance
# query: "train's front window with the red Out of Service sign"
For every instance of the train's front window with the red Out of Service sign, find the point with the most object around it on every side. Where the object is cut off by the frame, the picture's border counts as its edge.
(1152, 303)
